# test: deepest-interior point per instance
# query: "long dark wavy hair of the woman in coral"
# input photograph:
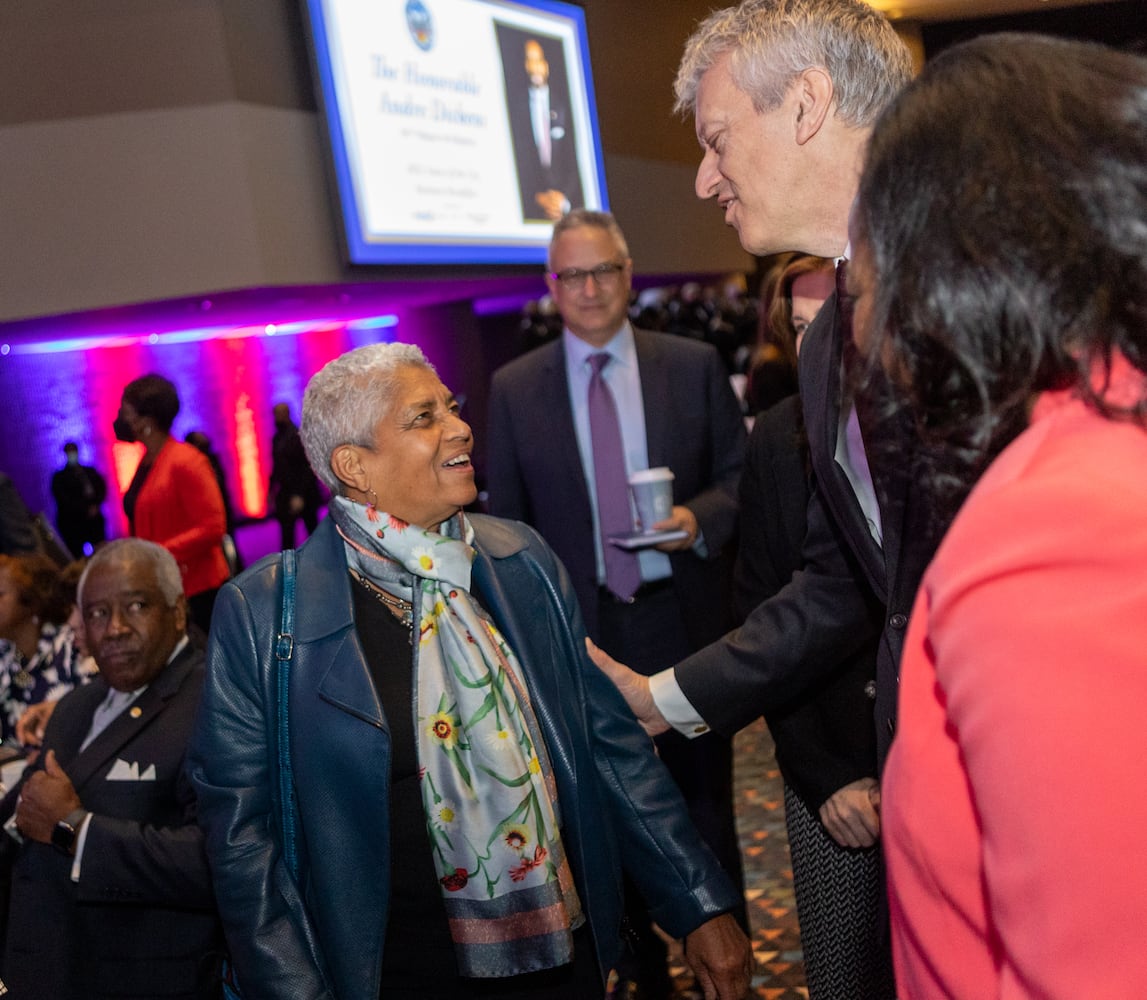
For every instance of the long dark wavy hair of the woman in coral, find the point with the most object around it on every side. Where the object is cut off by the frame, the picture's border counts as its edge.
(1004, 208)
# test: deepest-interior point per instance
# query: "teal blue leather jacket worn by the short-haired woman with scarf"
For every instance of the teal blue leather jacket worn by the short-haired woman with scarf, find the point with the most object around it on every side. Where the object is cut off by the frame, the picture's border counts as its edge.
(324, 936)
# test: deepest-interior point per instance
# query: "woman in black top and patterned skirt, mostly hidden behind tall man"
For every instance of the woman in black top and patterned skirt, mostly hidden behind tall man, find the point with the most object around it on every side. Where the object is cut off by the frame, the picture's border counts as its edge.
(826, 744)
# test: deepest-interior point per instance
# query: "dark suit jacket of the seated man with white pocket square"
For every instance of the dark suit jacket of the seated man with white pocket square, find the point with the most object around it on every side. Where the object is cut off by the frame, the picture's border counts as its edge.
(142, 920)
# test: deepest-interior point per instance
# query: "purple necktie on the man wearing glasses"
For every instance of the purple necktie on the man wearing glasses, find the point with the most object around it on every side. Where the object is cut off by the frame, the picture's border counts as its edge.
(623, 576)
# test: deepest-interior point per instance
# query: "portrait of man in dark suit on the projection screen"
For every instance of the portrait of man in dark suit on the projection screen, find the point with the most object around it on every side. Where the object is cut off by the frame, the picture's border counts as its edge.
(542, 124)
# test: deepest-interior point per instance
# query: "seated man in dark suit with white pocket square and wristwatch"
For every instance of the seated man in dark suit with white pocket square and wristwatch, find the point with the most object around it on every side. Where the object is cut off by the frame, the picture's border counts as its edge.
(111, 890)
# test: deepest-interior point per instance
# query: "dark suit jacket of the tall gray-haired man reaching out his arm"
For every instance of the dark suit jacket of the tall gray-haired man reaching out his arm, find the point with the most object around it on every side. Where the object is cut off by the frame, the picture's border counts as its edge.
(826, 611)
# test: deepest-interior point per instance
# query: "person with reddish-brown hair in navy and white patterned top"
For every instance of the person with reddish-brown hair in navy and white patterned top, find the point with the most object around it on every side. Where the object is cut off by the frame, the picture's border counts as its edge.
(38, 657)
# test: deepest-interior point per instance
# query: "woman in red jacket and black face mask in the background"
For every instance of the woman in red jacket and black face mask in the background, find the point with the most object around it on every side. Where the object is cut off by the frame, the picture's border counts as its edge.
(174, 498)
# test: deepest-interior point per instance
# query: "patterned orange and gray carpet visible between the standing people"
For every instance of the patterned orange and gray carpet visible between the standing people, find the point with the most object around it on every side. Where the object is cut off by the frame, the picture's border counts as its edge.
(768, 877)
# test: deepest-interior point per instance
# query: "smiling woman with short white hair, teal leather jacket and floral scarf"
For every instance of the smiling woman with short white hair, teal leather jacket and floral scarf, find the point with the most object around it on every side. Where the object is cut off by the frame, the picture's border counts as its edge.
(467, 786)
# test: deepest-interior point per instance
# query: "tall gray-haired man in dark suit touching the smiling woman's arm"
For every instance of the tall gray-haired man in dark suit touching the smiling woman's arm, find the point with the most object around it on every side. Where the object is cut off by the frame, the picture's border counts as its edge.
(785, 95)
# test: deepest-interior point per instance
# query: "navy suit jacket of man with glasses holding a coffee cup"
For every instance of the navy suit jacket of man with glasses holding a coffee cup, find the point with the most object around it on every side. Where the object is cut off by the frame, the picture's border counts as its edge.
(693, 426)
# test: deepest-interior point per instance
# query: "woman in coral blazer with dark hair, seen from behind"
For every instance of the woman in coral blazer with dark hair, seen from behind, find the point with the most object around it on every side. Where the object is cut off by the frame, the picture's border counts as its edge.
(1001, 278)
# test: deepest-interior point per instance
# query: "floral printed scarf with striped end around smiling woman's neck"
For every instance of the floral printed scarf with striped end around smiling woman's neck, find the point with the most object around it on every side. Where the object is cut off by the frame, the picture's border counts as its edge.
(488, 788)
